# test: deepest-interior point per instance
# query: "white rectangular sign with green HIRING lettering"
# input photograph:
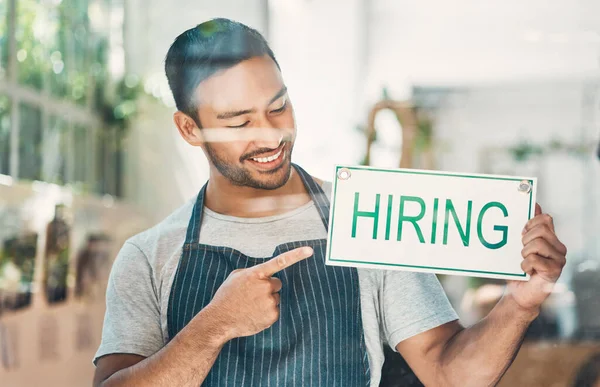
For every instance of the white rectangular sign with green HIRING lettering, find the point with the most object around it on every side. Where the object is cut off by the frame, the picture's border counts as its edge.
(426, 221)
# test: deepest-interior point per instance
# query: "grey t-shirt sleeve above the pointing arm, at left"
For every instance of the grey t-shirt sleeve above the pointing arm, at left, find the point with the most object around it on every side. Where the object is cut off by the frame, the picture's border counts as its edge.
(132, 318)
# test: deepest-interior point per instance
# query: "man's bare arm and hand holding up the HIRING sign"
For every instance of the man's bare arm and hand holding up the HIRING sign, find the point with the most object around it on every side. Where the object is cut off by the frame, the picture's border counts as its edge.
(451, 355)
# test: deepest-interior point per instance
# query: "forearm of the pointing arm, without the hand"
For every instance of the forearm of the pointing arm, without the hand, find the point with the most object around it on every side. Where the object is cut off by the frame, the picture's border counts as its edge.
(185, 361)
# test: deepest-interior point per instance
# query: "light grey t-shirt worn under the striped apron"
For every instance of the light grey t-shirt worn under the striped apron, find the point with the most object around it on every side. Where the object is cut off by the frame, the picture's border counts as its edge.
(395, 305)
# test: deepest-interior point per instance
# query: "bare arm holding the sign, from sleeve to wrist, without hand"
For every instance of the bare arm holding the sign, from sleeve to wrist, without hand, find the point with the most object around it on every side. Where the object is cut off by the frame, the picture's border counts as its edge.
(451, 355)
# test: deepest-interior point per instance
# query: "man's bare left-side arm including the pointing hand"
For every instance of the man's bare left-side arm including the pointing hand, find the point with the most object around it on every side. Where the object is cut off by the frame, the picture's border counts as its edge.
(244, 305)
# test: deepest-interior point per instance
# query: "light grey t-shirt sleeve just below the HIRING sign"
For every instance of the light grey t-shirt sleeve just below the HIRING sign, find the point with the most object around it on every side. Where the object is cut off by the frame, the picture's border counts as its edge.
(412, 303)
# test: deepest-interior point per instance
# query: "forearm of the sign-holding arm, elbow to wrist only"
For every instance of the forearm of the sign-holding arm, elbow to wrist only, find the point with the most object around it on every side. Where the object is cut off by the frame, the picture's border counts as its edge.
(481, 354)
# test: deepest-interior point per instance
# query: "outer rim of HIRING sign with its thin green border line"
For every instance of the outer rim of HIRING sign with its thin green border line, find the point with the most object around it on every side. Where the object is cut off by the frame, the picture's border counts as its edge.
(419, 172)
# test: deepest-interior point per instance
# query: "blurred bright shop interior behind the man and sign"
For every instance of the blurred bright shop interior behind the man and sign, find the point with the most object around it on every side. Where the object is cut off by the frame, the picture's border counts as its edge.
(89, 155)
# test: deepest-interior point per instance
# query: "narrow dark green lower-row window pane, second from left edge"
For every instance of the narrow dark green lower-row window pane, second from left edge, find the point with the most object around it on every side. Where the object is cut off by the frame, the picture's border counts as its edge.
(30, 142)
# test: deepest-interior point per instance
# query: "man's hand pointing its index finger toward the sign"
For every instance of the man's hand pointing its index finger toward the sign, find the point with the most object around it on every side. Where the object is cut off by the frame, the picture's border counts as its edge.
(248, 301)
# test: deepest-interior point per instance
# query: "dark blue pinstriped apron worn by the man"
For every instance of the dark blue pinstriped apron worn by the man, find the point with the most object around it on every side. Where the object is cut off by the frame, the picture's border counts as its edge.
(318, 339)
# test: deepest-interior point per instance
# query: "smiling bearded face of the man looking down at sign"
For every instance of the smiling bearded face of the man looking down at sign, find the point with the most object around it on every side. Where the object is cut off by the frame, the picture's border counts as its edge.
(248, 124)
